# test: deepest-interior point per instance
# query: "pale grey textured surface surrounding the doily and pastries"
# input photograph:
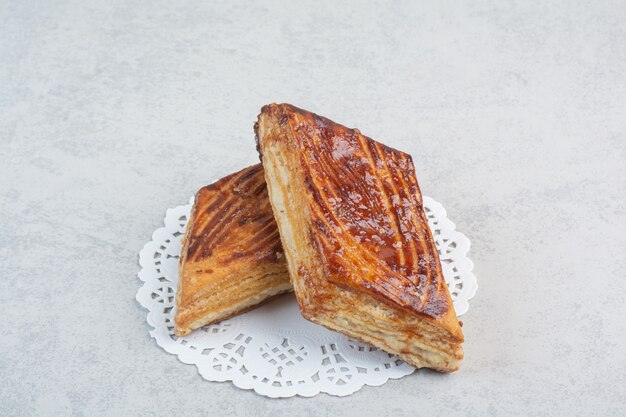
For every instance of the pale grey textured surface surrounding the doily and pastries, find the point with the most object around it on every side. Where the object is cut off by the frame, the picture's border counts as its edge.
(113, 111)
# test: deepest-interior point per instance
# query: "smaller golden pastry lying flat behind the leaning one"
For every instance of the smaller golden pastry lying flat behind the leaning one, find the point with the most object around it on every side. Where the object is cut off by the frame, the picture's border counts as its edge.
(231, 258)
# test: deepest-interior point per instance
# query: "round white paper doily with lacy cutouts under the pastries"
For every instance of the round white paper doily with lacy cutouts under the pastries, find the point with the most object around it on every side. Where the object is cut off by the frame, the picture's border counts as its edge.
(272, 349)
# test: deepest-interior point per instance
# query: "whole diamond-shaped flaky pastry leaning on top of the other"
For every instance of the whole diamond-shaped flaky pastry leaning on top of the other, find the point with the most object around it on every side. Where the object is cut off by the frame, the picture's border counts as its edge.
(361, 256)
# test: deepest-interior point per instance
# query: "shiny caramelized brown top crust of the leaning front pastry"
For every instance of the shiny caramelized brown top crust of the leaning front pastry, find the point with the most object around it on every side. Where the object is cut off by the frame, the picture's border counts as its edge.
(368, 222)
